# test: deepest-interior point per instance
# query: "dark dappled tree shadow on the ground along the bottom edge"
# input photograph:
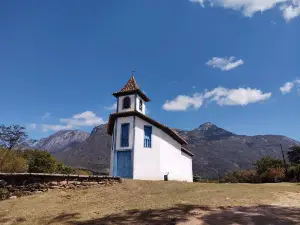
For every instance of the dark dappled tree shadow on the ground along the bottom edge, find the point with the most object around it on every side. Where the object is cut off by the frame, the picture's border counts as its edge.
(254, 215)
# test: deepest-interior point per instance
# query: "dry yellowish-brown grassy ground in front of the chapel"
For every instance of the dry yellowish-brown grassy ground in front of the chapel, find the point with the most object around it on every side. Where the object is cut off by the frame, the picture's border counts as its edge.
(145, 202)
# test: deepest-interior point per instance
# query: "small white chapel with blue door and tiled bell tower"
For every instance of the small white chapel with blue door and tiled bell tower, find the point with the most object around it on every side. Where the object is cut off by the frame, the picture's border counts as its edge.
(143, 148)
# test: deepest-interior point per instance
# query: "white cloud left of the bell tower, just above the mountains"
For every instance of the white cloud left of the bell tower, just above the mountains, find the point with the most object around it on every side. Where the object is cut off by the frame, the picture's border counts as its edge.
(85, 119)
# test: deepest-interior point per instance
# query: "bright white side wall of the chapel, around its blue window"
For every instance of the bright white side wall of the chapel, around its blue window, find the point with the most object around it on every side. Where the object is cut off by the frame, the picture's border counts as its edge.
(163, 157)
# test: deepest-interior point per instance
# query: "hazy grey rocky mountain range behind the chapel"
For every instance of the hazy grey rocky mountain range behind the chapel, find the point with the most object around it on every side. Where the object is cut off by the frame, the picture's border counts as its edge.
(216, 151)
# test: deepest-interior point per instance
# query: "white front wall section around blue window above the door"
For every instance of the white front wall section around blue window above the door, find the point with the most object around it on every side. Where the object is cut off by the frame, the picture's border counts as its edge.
(119, 122)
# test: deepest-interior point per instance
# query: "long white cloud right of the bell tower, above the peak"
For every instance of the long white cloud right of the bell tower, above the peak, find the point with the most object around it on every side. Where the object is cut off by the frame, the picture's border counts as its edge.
(222, 96)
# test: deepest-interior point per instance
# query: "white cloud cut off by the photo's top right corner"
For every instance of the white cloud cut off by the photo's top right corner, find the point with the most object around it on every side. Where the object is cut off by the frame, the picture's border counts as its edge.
(290, 8)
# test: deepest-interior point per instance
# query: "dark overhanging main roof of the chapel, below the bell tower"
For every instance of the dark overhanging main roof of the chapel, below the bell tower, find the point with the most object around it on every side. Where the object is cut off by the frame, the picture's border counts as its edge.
(166, 129)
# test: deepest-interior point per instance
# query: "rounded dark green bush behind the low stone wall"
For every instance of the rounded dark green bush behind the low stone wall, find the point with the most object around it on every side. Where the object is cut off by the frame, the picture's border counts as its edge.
(40, 162)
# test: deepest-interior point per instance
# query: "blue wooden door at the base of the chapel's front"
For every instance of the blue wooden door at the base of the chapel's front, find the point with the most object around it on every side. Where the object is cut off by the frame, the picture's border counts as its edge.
(124, 164)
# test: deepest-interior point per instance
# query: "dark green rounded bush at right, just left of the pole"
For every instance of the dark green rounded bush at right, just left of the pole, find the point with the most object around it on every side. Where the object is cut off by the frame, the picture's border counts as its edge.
(262, 165)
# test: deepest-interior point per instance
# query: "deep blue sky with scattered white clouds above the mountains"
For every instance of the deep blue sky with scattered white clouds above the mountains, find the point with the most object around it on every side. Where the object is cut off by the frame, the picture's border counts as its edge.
(198, 61)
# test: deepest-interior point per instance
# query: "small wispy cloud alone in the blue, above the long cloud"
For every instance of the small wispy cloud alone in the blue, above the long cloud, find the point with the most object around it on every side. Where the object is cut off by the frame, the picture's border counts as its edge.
(225, 63)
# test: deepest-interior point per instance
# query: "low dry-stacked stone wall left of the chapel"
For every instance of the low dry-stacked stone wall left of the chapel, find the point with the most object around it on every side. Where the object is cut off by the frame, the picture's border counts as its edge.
(13, 185)
